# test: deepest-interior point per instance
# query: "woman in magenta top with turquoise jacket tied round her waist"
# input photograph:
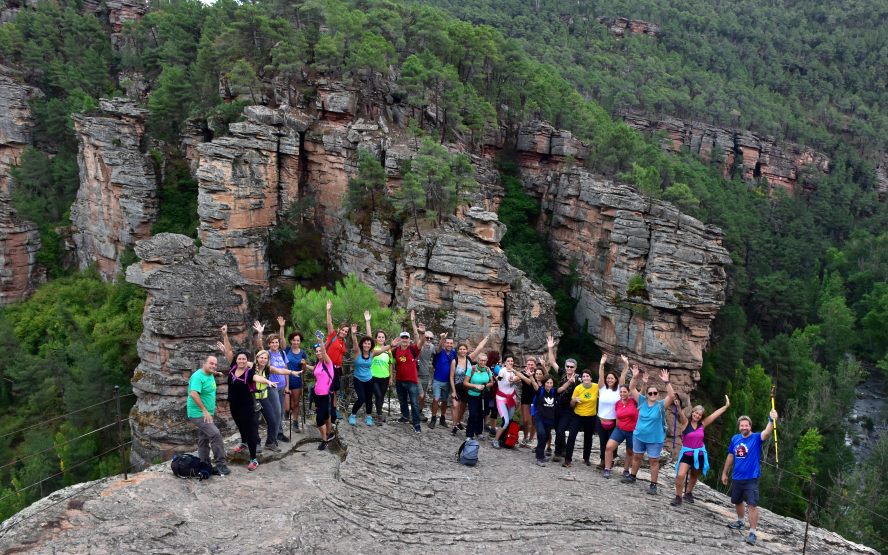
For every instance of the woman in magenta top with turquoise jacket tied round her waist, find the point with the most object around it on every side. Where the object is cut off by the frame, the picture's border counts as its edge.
(693, 456)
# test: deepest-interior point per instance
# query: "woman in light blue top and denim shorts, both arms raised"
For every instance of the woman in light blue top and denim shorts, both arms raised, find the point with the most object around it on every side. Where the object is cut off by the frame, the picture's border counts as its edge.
(649, 433)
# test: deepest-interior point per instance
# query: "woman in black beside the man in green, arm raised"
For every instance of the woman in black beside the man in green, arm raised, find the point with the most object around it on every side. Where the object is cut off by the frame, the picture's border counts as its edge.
(242, 380)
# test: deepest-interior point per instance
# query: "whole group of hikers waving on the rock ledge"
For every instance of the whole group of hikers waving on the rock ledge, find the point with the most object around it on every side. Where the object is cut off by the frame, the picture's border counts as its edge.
(487, 386)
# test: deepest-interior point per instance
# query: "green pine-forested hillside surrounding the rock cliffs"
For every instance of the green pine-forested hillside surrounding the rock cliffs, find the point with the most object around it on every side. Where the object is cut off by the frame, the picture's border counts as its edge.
(808, 295)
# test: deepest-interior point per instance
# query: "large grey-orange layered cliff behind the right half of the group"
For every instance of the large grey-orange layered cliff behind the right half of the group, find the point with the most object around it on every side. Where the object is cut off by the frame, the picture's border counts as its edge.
(610, 235)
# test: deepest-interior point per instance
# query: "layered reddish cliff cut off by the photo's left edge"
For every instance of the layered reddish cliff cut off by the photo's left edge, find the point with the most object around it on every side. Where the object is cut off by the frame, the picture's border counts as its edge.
(19, 238)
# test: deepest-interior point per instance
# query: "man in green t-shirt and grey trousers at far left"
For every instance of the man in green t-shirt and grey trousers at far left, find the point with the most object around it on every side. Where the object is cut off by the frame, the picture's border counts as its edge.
(201, 406)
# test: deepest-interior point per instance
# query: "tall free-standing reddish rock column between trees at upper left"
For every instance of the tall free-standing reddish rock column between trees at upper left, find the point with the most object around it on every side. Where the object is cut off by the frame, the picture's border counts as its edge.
(117, 199)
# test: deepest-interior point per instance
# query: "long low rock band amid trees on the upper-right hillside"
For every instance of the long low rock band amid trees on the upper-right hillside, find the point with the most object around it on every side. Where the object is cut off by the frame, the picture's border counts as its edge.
(783, 166)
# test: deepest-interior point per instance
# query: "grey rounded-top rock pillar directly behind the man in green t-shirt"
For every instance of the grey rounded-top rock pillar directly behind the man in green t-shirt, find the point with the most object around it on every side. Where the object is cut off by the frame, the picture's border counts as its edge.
(191, 295)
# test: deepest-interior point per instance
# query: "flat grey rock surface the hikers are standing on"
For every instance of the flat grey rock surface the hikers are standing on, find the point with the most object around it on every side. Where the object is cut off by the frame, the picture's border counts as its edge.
(387, 488)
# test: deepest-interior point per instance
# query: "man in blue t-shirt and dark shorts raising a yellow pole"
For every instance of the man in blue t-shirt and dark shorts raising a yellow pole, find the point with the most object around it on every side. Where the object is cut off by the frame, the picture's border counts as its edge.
(744, 454)
